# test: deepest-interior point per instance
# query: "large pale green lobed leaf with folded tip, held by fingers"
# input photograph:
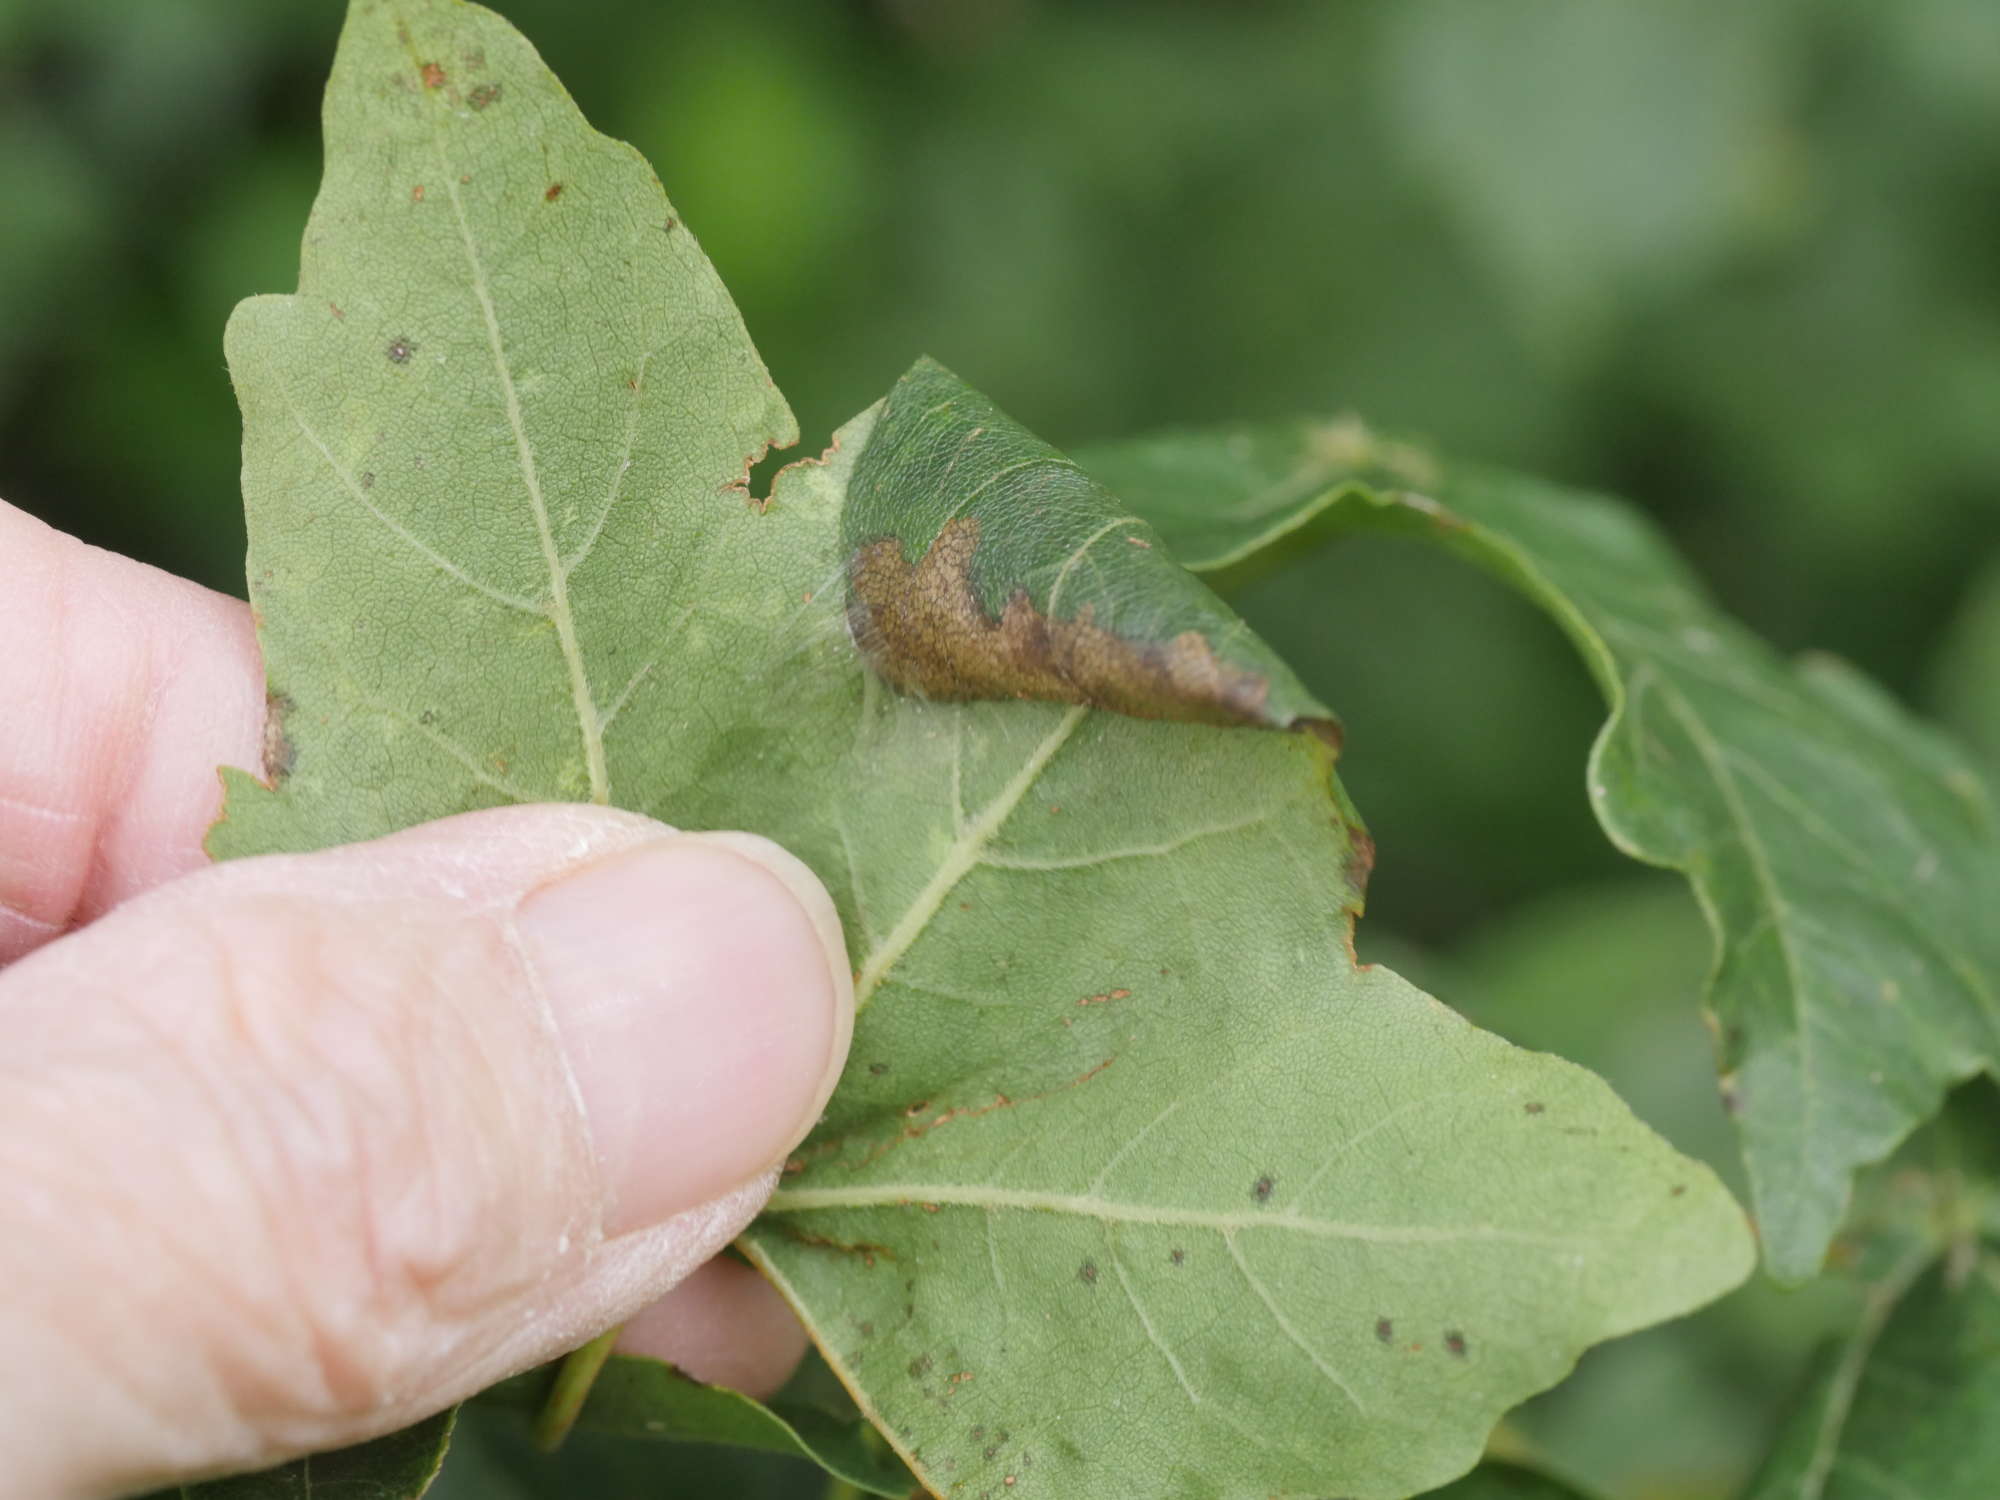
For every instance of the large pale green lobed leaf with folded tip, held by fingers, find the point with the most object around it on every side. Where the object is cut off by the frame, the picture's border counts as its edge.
(1109, 1011)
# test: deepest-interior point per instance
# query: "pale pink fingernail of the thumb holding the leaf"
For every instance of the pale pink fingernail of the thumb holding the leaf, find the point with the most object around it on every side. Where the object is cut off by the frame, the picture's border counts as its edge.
(701, 991)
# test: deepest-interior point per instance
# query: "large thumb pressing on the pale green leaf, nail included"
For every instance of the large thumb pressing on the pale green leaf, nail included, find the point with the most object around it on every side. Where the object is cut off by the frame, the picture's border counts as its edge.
(303, 1149)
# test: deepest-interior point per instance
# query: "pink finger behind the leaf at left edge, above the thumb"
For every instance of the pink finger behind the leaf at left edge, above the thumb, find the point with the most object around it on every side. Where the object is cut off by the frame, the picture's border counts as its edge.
(125, 689)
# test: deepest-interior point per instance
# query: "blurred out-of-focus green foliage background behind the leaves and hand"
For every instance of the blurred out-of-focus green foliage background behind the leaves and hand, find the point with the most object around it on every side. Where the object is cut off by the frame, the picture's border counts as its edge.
(1733, 259)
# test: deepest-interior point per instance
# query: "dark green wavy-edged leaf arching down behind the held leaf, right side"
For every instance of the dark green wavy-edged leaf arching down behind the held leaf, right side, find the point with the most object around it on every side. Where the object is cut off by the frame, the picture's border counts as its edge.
(1845, 853)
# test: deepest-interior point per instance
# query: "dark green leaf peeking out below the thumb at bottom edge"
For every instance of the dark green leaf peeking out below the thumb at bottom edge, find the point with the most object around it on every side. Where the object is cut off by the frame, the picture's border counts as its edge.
(645, 1399)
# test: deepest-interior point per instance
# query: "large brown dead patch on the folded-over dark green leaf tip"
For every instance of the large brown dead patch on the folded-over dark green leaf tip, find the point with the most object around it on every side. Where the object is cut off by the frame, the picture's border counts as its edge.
(925, 631)
